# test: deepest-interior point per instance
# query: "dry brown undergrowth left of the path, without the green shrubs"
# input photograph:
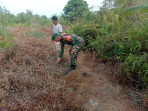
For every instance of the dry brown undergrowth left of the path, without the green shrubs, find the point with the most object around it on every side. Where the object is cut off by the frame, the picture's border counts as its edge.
(31, 80)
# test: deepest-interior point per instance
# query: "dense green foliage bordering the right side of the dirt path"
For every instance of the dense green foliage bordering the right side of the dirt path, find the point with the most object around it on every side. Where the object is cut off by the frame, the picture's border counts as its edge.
(119, 30)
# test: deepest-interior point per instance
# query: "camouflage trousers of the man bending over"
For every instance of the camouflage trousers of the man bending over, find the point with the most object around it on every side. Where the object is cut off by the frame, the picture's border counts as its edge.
(74, 56)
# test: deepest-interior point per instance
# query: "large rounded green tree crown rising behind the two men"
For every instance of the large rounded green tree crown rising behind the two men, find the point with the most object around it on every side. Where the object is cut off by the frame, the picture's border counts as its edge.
(75, 8)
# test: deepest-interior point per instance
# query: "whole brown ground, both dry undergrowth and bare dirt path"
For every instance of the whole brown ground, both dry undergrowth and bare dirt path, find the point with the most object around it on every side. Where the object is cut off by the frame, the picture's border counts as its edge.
(30, 80)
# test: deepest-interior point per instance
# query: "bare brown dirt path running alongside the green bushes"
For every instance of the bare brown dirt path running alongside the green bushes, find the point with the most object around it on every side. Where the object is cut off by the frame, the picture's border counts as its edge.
(103, 93)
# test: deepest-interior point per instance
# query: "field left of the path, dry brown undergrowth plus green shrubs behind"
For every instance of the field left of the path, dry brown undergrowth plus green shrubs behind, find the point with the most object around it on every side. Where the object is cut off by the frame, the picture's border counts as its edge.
(29, 77)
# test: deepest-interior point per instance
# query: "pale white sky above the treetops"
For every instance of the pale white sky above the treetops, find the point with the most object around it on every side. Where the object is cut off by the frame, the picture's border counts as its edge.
(42, 7)
